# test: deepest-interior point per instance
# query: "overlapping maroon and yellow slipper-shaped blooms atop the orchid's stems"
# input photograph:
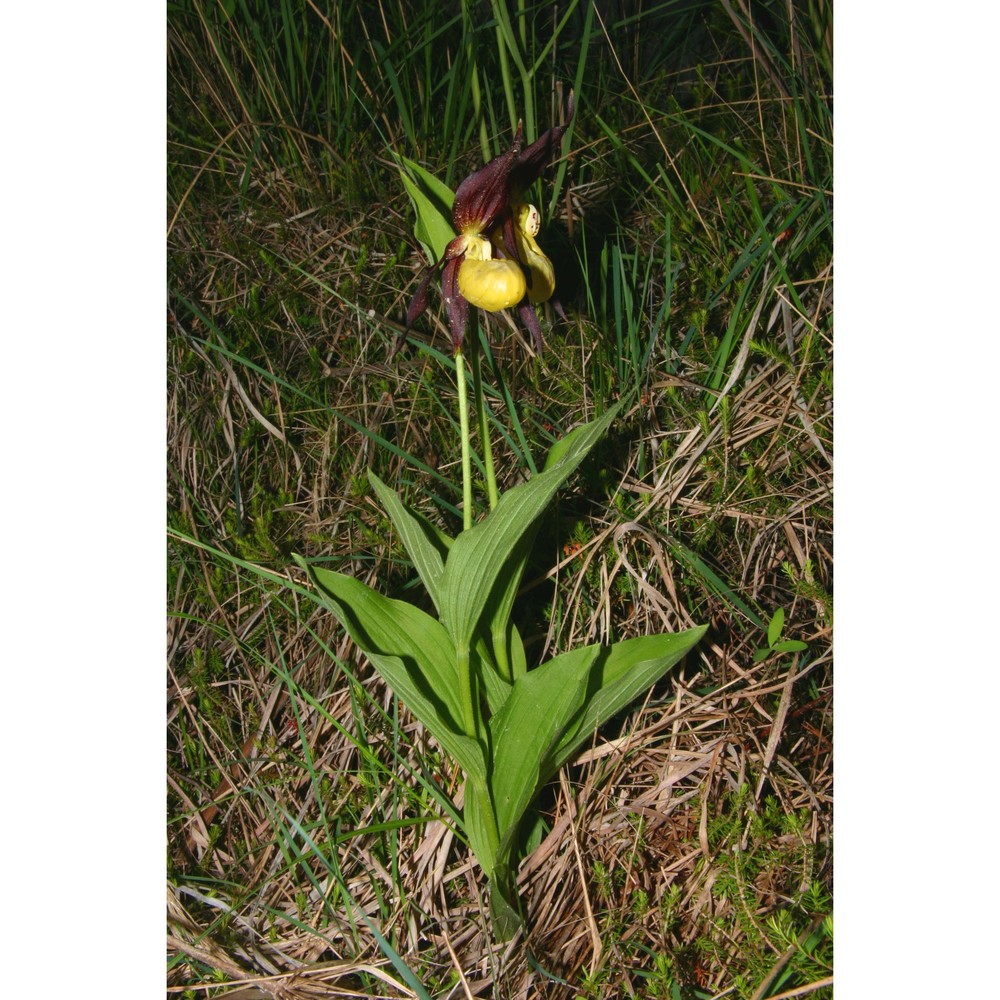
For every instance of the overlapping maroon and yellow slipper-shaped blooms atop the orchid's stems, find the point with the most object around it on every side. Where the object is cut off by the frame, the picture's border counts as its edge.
(494, 263)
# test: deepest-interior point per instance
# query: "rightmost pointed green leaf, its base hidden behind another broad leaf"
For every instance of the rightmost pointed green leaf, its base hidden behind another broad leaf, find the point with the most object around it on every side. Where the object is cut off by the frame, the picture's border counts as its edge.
(622, 673)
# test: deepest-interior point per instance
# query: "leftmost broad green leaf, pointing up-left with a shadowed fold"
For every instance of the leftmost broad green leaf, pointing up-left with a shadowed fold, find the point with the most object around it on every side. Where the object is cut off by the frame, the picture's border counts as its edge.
(412, 651)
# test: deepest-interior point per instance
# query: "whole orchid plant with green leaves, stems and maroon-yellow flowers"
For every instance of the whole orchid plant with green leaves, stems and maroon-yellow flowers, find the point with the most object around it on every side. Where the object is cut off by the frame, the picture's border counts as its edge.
(464, 672)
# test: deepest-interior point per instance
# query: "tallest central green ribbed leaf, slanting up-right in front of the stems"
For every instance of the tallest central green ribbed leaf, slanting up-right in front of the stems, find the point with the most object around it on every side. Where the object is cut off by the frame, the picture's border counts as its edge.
(478, 555)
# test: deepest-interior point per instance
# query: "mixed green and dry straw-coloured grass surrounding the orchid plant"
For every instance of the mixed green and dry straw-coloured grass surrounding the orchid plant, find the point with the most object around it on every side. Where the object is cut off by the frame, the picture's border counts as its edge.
(688, 853)
